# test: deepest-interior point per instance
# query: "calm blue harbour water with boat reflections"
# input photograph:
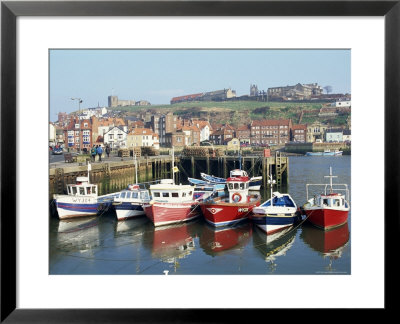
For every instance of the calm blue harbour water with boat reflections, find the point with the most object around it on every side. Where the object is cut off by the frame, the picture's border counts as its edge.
(102, 245)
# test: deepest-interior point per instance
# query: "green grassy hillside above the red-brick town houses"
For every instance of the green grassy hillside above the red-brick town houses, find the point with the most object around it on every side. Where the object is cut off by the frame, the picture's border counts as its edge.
(242, 112)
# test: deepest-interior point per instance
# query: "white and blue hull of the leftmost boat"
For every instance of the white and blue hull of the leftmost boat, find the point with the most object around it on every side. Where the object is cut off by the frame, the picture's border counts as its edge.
(70, 207)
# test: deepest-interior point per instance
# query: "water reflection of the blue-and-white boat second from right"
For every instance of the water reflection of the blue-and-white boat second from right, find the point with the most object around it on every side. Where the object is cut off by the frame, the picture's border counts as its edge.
(274, 245)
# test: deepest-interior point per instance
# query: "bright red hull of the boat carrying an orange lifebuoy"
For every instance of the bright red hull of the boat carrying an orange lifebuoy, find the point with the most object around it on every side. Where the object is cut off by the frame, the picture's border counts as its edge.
(223, 214)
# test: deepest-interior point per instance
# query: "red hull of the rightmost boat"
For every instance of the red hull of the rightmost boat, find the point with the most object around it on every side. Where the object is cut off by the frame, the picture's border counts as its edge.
(326, 218)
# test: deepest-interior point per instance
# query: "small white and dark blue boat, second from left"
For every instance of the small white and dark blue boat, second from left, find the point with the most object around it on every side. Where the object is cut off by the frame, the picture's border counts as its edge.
(130, 201)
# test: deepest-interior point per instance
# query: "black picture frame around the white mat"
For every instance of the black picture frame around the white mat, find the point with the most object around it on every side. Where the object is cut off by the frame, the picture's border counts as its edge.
(10, 10)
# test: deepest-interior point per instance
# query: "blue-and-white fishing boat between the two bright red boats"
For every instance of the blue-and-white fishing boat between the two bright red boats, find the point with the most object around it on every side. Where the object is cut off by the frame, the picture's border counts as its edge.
(277, 213)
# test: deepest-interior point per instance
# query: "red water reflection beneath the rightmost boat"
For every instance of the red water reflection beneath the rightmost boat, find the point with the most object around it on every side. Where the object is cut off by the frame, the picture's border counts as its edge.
(330, 244)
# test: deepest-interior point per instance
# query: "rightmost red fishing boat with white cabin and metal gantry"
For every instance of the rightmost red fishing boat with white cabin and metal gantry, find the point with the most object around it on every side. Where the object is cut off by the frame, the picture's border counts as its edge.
(330, 208)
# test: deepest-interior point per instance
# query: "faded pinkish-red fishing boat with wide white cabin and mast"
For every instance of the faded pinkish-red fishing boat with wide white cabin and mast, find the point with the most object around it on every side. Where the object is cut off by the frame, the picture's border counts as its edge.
(171, 203)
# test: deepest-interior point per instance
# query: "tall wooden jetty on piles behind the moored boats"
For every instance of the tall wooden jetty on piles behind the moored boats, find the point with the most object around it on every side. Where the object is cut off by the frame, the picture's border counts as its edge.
(112, 176)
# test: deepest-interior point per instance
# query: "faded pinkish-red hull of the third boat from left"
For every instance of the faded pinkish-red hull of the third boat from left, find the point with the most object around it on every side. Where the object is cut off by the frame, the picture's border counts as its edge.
(169, 213)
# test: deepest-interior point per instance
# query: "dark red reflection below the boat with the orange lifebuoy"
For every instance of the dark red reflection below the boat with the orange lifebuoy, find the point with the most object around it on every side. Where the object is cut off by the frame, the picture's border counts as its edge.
(216, 241)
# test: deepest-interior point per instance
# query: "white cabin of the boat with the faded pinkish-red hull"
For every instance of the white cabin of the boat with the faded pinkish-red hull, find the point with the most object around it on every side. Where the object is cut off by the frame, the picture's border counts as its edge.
(167, 191)
